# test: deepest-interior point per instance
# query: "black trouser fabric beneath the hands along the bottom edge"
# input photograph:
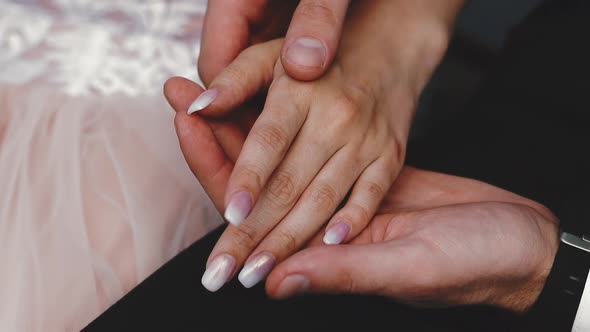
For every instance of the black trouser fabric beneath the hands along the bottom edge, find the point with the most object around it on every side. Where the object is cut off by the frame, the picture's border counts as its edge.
(174, 300)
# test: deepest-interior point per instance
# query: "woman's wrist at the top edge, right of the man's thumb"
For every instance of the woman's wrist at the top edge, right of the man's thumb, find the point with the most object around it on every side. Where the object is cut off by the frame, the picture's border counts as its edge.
(409, 37)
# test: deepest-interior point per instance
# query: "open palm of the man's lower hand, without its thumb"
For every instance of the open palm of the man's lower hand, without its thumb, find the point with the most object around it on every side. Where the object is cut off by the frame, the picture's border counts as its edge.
(448, 231)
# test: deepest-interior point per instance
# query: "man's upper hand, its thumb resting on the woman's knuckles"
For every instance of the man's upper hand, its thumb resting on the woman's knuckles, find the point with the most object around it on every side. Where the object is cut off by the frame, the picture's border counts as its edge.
(311, 42)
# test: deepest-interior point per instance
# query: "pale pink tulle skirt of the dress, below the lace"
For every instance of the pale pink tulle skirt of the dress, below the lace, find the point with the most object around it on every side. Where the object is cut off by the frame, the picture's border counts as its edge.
(93, 199)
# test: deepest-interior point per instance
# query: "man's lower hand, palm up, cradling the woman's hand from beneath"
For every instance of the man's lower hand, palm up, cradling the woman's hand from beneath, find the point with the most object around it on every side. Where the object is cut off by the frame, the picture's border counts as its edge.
(436, 239)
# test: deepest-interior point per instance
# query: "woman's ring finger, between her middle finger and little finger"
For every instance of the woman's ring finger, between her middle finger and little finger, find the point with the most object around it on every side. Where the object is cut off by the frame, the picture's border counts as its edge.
(313, 209)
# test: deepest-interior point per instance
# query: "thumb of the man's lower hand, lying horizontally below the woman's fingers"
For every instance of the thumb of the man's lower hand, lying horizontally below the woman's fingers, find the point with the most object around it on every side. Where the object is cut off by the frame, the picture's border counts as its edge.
(367, 268)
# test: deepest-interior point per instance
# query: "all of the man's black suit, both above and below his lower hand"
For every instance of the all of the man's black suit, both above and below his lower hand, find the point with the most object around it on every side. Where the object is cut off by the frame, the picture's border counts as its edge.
(525, 131)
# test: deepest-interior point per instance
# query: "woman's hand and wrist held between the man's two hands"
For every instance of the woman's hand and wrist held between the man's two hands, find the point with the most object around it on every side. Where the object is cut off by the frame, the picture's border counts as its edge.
(314, 142)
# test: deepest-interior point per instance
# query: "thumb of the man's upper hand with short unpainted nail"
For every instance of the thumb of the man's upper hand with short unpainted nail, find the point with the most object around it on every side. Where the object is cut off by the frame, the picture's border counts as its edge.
(313, 37)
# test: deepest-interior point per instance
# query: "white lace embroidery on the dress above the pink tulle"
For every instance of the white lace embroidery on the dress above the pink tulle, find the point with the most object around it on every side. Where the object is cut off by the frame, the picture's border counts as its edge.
(99, 47)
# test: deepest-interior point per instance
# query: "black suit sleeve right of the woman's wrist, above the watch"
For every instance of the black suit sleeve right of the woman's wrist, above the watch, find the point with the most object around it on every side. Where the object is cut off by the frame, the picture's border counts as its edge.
(527, 129)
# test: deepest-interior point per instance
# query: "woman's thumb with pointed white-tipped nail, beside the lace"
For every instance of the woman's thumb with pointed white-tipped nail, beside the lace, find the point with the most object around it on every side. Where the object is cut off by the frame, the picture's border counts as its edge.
(249, 74)
